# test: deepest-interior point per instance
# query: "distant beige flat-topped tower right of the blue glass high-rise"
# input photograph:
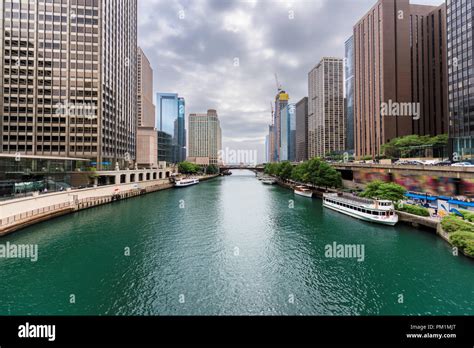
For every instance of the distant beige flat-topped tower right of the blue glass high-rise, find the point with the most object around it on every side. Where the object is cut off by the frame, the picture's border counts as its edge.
(205, 138)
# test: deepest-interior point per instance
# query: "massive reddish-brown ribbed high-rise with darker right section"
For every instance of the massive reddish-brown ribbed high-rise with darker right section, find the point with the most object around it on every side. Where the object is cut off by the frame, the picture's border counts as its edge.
(399, 60)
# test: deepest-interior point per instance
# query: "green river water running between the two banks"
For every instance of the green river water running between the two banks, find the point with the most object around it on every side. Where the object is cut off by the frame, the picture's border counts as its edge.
(230, 246)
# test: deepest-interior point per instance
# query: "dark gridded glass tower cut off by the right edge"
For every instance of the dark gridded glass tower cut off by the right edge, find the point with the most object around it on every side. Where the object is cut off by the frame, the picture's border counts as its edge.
(460, 78)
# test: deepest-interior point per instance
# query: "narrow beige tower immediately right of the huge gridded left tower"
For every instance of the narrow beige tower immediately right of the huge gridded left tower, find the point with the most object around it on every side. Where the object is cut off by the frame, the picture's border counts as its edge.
(147, 136)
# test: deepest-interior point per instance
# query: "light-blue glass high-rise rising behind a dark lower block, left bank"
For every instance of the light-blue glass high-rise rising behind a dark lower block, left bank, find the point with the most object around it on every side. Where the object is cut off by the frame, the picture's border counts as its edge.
(170, 118)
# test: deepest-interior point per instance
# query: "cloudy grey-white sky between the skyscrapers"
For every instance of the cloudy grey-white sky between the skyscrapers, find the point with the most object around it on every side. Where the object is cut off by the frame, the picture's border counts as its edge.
(223, 54)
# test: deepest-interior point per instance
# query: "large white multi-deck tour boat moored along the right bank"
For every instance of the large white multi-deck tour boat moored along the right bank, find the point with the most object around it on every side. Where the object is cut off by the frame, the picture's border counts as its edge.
(379, 211)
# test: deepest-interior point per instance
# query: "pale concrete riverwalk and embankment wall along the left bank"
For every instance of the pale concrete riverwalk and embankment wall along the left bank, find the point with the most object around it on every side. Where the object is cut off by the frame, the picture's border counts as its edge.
(23, 212)
